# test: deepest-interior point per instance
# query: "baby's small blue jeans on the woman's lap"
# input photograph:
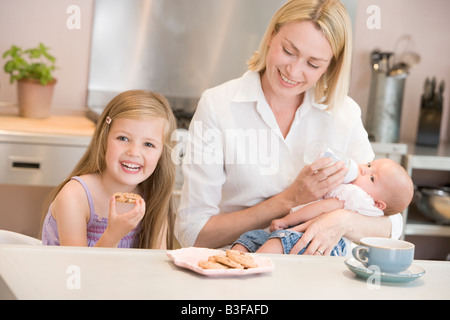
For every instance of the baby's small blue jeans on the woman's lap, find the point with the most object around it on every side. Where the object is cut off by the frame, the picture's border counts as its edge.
(253, 240)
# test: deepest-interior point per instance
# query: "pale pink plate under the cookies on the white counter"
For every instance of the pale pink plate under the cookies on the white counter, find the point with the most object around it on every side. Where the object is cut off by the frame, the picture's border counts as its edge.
(189, 257)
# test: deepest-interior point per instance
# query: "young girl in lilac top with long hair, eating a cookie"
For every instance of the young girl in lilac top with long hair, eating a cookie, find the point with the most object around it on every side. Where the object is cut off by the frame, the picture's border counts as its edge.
(129, 152)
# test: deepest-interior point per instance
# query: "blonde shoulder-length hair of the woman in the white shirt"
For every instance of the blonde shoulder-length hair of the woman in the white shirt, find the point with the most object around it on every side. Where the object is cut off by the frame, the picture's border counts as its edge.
(332, 18)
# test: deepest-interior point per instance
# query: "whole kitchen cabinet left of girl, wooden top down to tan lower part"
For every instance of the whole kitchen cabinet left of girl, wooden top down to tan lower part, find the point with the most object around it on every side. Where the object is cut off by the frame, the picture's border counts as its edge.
(35, 156)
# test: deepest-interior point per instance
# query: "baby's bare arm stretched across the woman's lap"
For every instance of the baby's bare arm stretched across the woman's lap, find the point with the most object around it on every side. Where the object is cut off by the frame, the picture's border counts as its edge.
(306, 213)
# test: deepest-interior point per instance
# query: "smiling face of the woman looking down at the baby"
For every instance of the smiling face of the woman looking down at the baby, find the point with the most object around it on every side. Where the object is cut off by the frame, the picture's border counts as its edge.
(299, 54)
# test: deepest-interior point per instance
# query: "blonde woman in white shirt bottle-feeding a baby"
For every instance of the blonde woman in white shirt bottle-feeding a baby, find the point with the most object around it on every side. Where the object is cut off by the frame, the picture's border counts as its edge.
(294, 93)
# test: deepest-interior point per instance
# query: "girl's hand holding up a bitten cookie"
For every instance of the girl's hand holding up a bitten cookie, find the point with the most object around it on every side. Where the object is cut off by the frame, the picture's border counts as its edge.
(119, 225)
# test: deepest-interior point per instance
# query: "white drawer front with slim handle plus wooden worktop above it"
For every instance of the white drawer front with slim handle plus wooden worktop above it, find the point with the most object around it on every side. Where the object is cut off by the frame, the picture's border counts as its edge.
(41, 152)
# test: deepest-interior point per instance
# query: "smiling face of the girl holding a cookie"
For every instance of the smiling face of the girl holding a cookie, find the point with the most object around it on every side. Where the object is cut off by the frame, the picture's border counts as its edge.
(133, 149)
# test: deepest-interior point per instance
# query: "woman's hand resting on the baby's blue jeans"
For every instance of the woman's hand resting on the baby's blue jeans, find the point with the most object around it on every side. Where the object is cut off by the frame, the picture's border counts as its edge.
(321, 233)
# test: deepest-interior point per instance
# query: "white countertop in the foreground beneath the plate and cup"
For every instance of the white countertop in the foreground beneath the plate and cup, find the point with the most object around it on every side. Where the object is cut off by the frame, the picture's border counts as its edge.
(99, 273)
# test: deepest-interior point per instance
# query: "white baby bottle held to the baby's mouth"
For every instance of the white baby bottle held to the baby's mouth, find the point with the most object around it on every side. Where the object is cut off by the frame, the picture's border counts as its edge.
(317, 150)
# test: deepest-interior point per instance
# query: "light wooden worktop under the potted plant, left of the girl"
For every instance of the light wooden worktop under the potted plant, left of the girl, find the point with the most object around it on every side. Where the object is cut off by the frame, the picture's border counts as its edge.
(67, 125)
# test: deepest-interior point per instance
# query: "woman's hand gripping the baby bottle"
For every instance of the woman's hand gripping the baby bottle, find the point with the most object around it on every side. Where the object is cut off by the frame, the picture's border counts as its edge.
(315, 181)
